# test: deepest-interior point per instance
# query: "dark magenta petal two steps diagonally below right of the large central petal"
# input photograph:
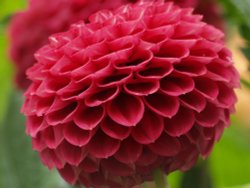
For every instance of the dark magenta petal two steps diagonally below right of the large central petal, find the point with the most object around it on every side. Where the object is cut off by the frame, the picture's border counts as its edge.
(166, 146)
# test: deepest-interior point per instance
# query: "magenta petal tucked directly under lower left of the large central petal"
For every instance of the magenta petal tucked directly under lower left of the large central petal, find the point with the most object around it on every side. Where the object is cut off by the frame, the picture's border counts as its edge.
(115, 130)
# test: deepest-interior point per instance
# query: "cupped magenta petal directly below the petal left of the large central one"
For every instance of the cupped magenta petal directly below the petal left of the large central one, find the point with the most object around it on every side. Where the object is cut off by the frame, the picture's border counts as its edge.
(75, 135)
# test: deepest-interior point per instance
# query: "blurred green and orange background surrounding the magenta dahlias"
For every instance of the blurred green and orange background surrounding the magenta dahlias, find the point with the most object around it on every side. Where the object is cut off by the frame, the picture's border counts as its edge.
(227, 167)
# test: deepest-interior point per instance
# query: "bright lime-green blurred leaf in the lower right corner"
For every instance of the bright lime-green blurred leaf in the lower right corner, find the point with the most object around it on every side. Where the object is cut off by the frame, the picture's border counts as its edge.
(230, 160)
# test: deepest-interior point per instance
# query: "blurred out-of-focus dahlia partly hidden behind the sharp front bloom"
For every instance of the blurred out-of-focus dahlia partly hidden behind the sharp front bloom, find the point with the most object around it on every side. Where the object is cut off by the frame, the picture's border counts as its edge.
(30, 29)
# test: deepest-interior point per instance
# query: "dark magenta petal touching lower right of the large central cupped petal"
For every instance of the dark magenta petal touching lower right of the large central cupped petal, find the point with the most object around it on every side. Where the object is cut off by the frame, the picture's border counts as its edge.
(149, 128)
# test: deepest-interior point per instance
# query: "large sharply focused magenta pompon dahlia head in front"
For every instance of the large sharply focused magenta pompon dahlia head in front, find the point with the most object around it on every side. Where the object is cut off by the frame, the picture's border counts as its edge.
(144, 87)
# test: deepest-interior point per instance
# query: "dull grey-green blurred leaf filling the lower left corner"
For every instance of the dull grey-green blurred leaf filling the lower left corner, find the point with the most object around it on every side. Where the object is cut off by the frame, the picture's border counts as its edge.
(20, 166)
